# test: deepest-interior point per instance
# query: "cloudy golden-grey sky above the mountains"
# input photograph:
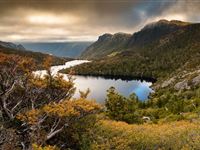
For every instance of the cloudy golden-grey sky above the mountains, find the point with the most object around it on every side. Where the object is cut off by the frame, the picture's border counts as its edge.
(85, 20)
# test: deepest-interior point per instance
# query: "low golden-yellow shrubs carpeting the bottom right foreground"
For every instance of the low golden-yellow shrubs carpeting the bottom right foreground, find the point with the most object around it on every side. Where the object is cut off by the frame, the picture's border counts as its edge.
(120, 135)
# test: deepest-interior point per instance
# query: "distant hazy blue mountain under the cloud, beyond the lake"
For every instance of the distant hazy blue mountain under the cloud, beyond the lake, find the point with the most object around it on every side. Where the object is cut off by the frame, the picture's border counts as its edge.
(62, 49)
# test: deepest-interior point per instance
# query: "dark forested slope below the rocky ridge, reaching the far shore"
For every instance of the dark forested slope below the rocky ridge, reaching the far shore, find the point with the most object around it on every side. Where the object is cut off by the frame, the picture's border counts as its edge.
(177, 49)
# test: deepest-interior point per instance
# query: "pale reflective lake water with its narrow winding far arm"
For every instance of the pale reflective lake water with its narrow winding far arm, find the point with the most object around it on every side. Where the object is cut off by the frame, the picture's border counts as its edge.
(99, 85)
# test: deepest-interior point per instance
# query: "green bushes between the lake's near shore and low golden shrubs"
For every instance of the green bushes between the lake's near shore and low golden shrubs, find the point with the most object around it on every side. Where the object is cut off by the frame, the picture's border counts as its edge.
(164, 106)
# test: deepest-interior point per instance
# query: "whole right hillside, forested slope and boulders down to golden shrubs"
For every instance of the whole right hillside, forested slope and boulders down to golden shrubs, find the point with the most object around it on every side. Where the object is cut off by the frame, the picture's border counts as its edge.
(166, 120)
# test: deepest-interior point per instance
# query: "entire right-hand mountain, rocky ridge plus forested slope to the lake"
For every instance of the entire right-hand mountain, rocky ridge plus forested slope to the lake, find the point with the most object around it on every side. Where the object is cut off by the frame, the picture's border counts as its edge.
(156, 51)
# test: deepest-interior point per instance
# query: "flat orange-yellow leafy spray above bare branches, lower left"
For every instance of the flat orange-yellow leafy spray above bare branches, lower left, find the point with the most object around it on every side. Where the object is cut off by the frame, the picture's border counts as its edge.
(66, 108)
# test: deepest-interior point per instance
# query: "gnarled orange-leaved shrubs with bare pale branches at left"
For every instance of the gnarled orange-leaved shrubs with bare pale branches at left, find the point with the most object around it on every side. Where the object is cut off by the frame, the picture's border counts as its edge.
(36, 111)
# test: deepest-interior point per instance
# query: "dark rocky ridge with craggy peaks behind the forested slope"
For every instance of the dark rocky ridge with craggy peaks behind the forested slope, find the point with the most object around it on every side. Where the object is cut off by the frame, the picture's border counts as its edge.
(109, 44)
